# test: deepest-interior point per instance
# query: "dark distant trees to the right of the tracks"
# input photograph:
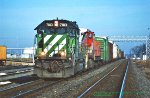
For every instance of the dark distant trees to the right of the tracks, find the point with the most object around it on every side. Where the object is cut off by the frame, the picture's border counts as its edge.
(139, 50)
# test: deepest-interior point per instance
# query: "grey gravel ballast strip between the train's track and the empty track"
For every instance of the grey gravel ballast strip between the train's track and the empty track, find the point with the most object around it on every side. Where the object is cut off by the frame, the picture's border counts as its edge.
(71, 87)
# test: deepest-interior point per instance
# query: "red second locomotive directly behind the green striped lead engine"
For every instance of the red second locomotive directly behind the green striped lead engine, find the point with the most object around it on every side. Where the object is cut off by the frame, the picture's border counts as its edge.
(91, 49)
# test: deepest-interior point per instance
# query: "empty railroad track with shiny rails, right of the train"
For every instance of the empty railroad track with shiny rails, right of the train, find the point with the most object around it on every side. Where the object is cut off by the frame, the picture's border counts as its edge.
(110, 85)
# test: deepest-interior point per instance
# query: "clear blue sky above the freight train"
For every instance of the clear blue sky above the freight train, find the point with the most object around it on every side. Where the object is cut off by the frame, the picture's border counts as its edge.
(18, 18)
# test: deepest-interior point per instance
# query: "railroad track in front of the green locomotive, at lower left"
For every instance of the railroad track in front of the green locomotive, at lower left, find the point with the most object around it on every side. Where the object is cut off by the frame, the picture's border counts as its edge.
(26, 89)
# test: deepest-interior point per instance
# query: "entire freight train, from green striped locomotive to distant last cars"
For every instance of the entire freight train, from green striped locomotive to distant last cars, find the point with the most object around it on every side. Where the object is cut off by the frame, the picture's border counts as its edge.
(62, 49)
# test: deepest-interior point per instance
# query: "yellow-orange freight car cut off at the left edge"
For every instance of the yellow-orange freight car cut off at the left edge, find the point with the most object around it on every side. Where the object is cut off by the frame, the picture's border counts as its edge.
(2, 55)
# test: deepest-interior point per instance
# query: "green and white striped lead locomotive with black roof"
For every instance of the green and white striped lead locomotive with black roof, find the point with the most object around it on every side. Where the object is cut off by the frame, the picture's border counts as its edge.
(57, 49)
